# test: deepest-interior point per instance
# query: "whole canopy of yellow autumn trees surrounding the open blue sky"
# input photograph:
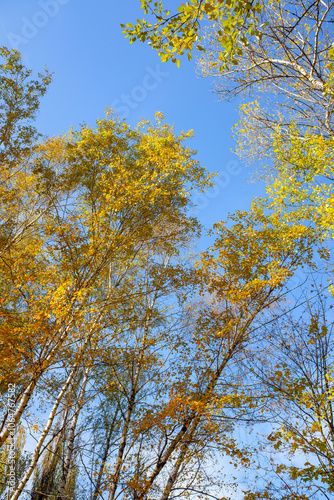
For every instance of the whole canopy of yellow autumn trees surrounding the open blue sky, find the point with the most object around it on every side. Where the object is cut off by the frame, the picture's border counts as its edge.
(131, 366)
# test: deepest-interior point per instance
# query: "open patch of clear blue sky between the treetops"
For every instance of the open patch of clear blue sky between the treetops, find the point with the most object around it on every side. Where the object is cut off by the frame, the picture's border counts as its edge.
(95, 67)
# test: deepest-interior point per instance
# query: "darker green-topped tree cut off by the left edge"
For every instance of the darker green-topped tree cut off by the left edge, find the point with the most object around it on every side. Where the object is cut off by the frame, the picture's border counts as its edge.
(19, 103)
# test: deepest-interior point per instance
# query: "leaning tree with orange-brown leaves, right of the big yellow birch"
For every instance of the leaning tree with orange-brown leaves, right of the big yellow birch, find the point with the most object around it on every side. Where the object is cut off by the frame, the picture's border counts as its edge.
(245, 274)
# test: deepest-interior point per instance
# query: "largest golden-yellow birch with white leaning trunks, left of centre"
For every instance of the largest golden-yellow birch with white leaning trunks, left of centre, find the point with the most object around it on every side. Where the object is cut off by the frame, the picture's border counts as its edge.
(110, 196)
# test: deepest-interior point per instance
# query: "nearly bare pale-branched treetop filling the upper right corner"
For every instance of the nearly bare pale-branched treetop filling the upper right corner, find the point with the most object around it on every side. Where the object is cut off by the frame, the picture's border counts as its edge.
(287, 70)
